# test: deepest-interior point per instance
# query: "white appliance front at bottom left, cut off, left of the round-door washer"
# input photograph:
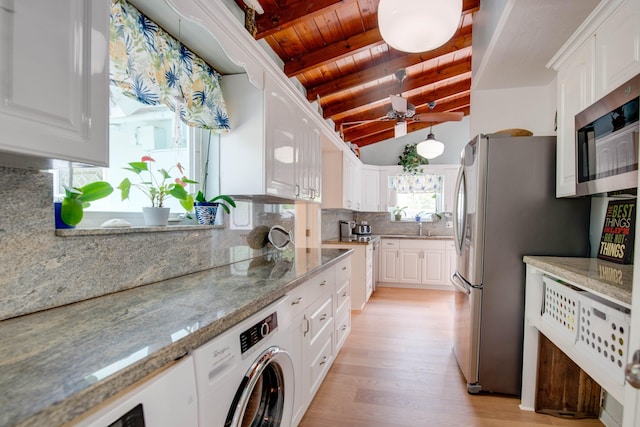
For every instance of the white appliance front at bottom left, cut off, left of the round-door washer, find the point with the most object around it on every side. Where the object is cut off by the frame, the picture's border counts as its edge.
(165, 399)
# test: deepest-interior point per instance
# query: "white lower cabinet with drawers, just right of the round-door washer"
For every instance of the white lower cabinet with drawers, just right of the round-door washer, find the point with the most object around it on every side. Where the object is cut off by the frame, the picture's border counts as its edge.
(321, 322)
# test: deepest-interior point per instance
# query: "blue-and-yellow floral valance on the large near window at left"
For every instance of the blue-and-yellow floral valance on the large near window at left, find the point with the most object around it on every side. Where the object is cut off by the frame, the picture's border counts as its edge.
(154, 68)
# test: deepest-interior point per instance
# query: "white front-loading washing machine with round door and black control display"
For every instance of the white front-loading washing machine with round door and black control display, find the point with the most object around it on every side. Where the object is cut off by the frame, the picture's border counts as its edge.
(245, 376)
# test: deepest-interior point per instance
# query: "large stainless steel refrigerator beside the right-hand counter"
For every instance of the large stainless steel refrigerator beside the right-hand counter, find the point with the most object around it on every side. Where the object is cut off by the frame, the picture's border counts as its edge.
(505, 209)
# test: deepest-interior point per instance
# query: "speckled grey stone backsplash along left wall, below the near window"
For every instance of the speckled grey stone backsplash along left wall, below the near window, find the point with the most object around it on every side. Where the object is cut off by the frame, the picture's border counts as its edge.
(40, 270)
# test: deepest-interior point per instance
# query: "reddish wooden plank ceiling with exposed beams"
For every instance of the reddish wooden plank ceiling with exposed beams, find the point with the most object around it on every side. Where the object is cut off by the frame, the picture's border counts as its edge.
(335, 50)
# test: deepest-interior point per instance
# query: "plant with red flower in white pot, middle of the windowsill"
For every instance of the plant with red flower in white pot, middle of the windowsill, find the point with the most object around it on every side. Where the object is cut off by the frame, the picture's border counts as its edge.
(157, 190)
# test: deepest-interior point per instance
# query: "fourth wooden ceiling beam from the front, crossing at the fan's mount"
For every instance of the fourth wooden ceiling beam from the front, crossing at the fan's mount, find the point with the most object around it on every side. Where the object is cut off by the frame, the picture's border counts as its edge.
(382, 92)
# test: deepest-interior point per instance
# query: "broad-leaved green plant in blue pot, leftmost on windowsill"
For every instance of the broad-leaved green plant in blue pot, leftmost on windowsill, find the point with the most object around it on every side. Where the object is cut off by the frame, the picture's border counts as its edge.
(70, 211)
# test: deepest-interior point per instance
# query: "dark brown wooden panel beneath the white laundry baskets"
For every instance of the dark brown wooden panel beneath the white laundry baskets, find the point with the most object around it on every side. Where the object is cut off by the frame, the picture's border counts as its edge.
(564, 390)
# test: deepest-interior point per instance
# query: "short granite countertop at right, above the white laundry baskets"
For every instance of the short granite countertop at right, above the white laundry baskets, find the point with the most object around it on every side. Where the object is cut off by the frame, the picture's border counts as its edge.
(604, 278)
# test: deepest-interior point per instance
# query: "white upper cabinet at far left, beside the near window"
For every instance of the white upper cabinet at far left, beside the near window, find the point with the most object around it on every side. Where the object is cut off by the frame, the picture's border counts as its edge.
(54, 59)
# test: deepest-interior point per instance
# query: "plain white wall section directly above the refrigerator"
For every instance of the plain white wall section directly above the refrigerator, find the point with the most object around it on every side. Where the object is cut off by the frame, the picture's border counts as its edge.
(531, 108)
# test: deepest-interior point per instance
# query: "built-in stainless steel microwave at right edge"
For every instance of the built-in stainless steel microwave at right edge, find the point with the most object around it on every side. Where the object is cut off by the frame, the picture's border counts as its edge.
(607, 142)
